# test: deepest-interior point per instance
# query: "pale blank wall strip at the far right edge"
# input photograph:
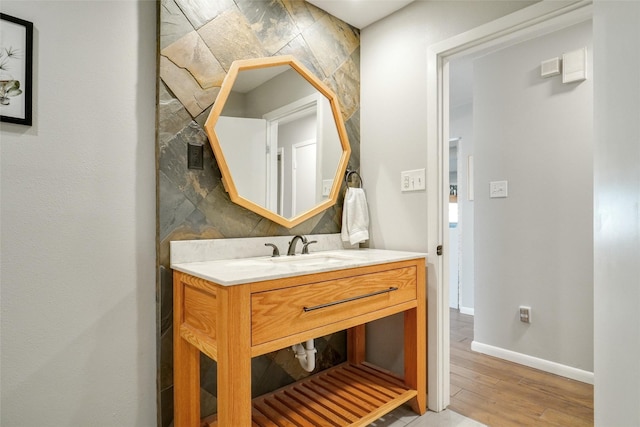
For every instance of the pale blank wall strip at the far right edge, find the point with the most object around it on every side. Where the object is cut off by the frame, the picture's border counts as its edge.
(617, 213)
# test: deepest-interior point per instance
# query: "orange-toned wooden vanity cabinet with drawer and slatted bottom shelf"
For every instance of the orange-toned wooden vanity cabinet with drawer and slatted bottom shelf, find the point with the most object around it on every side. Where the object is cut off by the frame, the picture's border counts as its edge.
(232, 324)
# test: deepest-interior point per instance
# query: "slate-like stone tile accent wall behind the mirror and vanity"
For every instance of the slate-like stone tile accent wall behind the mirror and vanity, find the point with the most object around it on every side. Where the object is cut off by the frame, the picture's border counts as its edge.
(199, 39)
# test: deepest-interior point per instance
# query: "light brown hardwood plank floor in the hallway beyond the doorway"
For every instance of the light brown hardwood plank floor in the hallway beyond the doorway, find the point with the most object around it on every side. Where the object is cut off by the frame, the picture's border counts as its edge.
(501, 393)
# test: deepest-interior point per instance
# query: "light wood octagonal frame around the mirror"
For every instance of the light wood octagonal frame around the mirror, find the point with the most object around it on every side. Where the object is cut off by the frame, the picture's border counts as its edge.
(227, 178)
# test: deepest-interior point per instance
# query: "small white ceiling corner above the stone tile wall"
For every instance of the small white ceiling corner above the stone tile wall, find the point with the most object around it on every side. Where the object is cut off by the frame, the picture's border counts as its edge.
(360, 13)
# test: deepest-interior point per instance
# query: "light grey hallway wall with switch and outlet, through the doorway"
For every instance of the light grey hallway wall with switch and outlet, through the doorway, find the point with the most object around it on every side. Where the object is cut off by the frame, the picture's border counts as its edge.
(535, 247)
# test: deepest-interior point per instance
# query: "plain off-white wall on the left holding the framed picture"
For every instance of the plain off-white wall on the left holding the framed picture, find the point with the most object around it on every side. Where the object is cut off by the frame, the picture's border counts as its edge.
(78, 221)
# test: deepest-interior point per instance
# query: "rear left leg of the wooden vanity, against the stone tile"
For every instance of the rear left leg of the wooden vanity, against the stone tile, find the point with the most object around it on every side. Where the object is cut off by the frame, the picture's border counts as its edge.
(186, 367)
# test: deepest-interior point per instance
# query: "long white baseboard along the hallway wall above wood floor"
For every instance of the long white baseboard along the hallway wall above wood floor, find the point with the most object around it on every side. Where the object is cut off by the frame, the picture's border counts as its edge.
(534, 362)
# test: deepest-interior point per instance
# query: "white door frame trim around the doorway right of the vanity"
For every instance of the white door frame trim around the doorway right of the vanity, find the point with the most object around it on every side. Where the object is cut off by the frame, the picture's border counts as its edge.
(543, 17)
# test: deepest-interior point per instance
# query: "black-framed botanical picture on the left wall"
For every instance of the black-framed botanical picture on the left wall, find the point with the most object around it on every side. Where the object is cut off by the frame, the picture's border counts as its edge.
(16, 69)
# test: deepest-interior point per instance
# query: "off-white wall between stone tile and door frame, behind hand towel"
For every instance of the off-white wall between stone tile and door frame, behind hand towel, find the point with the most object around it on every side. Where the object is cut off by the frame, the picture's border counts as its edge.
(393, 128)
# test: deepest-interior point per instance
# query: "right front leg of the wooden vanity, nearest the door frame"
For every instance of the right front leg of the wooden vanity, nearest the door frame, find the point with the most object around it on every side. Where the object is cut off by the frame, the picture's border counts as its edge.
(415, 347)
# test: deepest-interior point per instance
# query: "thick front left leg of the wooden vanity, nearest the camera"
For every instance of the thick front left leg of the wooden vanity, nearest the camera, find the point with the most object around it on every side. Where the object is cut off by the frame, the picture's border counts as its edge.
(234, 356)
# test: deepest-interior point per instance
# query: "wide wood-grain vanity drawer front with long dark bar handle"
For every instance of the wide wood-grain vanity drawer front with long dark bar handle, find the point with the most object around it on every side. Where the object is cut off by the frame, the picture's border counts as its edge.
(288, 311)
